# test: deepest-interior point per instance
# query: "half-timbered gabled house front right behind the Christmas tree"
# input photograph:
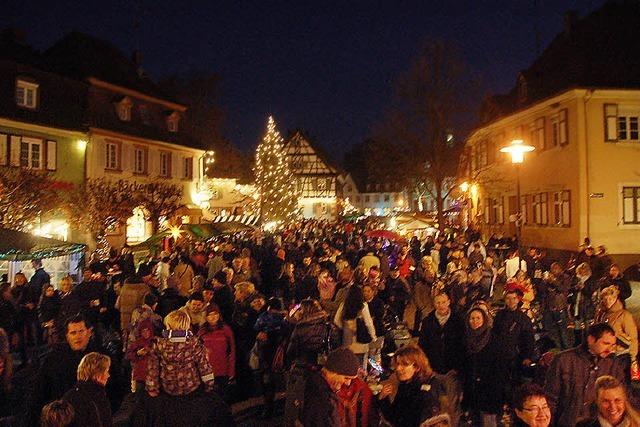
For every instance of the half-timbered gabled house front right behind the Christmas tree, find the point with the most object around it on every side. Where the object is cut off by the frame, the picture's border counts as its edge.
(316, 180)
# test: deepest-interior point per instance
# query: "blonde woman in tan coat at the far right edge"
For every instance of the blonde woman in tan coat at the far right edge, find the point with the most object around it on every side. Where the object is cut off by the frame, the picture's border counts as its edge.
(612, 312)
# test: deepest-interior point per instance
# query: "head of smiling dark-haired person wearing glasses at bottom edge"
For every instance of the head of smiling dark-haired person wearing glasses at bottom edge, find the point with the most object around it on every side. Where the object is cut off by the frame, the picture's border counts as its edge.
(531, 407)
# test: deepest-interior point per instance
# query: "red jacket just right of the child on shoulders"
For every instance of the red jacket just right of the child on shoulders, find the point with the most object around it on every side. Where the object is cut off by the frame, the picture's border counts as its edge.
(221, 348)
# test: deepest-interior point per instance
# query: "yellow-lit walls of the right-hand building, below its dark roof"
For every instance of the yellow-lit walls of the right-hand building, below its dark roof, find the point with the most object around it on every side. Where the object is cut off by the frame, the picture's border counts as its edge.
(583, 179)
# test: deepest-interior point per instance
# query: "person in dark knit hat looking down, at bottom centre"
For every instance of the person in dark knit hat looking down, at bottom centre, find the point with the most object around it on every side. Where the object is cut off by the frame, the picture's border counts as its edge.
(323, 410)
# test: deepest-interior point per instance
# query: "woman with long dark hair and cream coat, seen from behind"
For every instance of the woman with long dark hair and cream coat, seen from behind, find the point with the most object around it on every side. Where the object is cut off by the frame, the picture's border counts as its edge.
(354, 307)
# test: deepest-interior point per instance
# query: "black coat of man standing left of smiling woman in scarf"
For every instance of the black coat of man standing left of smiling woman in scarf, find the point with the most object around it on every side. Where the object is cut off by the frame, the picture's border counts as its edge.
(443, 345)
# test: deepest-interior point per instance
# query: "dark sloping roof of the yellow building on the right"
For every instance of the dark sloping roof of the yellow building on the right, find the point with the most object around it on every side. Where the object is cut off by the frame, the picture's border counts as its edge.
(599, 50)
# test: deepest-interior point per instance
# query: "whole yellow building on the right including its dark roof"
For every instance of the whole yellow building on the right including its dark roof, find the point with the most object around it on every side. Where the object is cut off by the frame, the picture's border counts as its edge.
(578, 104)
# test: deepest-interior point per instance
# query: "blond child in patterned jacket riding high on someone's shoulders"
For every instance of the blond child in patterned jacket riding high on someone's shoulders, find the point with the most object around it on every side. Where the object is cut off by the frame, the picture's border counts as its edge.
(179, 363)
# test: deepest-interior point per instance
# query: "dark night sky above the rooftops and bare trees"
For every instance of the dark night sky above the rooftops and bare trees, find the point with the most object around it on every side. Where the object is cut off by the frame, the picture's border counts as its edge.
(323, 66)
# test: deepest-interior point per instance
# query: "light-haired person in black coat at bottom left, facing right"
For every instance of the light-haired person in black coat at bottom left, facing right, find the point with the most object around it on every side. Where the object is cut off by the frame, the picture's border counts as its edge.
(88, 397)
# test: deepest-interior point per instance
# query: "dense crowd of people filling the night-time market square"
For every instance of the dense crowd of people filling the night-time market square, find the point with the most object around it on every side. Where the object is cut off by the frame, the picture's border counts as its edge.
(359, 330)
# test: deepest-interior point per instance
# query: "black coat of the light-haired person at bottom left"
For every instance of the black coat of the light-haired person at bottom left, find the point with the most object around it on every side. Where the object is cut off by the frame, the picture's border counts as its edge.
(90, 404)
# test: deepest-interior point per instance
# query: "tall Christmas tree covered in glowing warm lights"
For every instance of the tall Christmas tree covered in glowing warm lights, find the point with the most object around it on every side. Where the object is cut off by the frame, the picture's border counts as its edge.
(278, 198)
